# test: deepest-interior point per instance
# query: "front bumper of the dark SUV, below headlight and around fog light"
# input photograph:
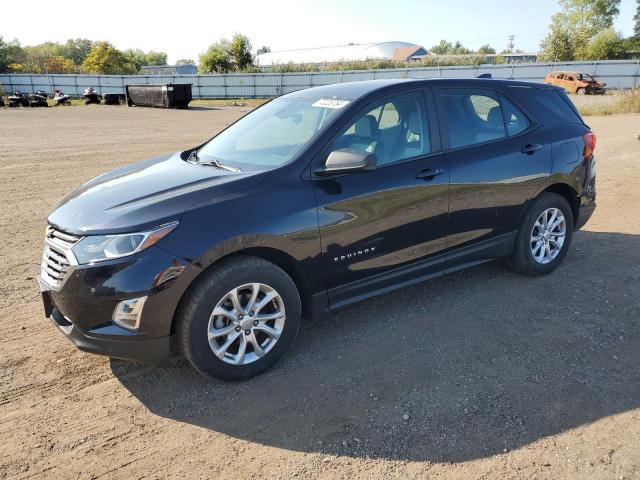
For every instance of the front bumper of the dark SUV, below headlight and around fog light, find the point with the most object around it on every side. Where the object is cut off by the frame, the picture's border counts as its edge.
(82, 308)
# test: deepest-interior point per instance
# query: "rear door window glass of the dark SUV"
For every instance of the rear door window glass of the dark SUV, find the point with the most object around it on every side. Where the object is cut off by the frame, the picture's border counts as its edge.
(471, 116)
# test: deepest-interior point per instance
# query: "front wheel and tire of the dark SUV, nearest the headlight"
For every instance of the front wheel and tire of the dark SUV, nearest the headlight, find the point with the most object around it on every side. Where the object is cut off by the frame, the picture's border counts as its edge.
(239, 319)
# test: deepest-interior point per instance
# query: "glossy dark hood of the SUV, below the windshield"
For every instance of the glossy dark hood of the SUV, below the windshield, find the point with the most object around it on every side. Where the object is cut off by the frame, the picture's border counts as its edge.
(144, 195)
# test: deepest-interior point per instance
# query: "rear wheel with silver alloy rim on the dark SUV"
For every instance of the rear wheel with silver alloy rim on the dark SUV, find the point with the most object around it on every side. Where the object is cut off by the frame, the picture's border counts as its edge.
(544, 236)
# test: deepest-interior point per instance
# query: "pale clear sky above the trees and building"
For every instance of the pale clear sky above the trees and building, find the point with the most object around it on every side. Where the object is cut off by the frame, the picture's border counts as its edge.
(184, 30)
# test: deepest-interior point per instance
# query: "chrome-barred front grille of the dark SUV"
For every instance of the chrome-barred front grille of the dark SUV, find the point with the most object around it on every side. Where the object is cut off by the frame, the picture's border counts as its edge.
(57, 258)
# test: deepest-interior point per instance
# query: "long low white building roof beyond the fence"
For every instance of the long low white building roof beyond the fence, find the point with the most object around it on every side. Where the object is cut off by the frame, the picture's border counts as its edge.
(357, 52)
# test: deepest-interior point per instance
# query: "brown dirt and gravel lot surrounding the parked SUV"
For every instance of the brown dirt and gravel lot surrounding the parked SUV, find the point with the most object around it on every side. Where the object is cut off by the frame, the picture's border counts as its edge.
(501, 376)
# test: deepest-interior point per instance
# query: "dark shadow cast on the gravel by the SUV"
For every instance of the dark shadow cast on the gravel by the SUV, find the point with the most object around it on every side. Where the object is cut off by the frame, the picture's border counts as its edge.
(453, 369)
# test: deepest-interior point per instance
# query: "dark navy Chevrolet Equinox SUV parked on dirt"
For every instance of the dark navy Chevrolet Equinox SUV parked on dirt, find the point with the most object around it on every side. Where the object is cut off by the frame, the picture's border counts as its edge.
(315, 200)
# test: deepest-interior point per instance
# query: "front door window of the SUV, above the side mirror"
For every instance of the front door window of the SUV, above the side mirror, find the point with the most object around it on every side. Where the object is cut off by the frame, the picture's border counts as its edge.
(394, 129)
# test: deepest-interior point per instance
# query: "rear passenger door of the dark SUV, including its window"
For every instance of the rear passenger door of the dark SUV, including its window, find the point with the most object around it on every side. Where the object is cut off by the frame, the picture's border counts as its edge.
(497, 156)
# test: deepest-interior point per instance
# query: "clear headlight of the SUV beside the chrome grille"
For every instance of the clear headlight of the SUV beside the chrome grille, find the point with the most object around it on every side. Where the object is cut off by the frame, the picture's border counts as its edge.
(97, 248)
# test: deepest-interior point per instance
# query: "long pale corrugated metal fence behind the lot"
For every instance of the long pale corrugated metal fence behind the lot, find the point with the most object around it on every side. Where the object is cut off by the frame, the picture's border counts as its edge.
(622, 74)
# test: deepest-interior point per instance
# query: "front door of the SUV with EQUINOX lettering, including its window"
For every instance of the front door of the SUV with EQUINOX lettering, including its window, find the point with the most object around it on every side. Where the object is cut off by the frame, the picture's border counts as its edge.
(378, 227)
